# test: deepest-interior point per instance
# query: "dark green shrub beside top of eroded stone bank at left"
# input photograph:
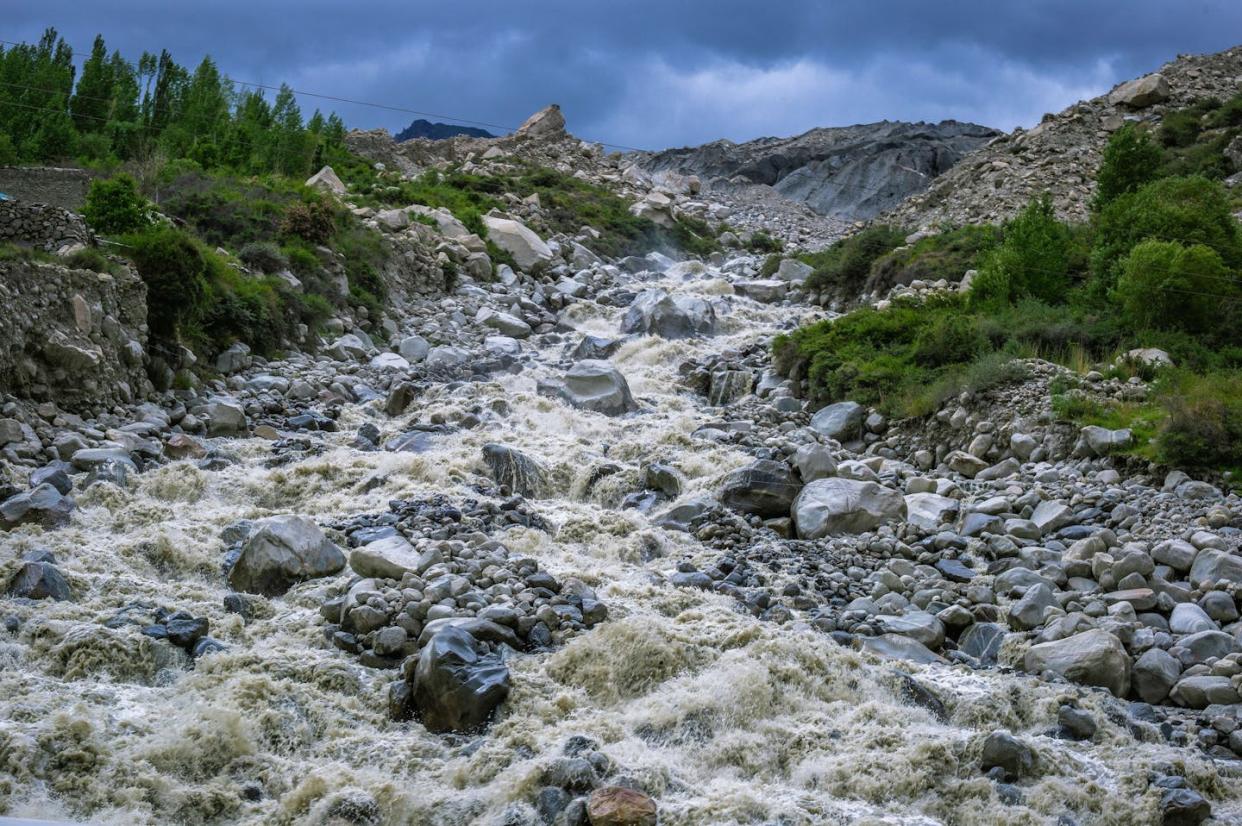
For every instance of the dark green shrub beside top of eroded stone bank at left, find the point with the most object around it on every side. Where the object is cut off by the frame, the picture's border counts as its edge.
(176, 271)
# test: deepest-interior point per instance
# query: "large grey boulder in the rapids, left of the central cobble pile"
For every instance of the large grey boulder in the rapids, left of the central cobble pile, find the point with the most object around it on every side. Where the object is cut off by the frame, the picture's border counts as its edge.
(283, 552)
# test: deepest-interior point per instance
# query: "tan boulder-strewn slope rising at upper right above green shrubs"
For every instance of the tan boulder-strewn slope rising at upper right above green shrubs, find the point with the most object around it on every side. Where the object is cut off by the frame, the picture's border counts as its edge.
(1063, 153)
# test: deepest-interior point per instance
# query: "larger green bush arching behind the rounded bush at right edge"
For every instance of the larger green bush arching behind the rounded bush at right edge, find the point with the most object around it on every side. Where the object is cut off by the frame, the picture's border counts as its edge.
(1187, 211)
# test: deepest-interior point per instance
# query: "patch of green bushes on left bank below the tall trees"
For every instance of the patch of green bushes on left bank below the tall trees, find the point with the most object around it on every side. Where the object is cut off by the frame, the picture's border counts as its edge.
(198, 296)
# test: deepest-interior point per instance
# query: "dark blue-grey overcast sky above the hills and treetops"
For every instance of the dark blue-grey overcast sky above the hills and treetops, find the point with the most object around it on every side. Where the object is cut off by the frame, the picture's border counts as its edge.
(656, 74)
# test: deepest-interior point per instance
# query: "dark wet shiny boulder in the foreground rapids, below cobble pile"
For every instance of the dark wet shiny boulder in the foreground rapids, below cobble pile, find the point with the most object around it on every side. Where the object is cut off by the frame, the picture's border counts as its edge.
(458, 685)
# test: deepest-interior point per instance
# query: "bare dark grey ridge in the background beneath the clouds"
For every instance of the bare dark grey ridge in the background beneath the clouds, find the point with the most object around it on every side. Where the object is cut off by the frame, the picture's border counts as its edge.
(848, 172)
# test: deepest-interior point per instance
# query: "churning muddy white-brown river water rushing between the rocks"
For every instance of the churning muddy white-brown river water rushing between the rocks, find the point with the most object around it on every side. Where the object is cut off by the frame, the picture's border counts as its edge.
(723, 717)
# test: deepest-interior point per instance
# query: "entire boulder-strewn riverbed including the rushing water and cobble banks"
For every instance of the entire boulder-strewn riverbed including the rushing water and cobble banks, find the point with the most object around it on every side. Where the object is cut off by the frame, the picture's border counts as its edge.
(569, 552)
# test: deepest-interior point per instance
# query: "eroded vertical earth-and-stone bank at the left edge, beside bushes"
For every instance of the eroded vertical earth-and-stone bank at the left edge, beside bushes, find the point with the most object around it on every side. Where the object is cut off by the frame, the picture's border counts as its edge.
(74, 337)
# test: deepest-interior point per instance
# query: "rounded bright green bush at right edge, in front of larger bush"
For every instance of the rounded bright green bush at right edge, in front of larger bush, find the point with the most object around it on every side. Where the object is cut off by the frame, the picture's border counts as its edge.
(1166, 285)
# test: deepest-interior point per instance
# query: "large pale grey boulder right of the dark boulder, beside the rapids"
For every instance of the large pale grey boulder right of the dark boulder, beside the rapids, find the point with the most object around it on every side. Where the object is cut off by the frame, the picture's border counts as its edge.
(838, 506)
